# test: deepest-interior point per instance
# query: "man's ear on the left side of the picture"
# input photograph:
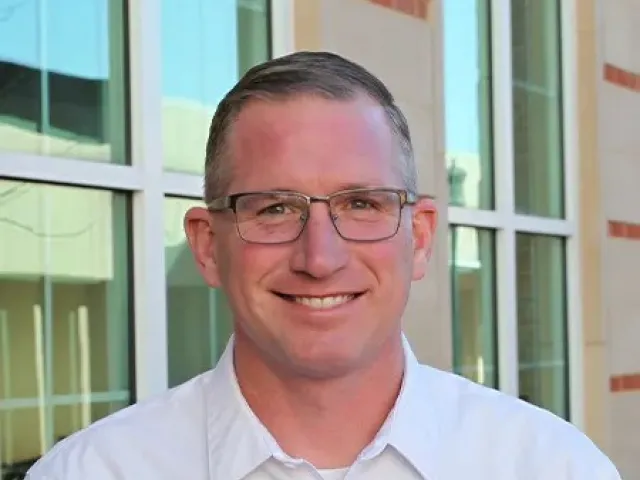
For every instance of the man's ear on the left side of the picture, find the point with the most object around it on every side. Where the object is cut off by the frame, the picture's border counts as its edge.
(199, 229)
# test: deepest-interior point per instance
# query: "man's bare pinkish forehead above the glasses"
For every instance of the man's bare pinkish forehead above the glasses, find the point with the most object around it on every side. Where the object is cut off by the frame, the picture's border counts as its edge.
(312, 144)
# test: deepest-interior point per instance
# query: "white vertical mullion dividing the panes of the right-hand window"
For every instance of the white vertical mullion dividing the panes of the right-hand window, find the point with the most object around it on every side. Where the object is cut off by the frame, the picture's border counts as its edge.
(505, 203)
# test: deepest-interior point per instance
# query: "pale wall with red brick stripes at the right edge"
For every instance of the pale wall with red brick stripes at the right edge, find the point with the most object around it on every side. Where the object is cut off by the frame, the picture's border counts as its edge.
(619, 151)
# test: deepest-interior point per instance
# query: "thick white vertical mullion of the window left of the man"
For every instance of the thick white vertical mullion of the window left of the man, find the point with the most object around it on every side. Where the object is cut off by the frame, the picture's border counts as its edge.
(145, 80)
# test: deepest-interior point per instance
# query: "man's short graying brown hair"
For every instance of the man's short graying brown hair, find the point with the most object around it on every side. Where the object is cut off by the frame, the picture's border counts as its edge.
(325, 74)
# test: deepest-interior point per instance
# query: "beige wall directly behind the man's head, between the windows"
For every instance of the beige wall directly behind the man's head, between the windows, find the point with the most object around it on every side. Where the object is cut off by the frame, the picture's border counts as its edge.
(405, 51)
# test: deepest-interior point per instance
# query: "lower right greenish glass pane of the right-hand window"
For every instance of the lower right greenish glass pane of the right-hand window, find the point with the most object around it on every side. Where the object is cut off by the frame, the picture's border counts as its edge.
(542, 322)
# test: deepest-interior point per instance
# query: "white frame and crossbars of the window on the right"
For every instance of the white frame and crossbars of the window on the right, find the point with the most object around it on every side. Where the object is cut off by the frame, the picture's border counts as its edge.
(507, 223)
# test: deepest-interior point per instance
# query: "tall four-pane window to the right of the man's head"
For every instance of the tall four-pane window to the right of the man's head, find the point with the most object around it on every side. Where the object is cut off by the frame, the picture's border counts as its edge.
(528, 314)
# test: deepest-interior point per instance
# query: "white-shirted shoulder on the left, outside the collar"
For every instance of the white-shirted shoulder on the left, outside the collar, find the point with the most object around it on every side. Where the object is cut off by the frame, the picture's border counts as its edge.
(150, 433)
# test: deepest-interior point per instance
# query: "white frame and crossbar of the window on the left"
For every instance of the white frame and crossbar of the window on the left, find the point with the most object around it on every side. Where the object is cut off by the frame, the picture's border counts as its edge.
(143, 179)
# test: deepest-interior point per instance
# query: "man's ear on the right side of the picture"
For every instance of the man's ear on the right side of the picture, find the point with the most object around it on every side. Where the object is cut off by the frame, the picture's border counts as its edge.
(425, 219)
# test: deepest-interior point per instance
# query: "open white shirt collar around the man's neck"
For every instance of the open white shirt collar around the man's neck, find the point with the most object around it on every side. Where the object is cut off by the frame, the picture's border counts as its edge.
(411, 428)
